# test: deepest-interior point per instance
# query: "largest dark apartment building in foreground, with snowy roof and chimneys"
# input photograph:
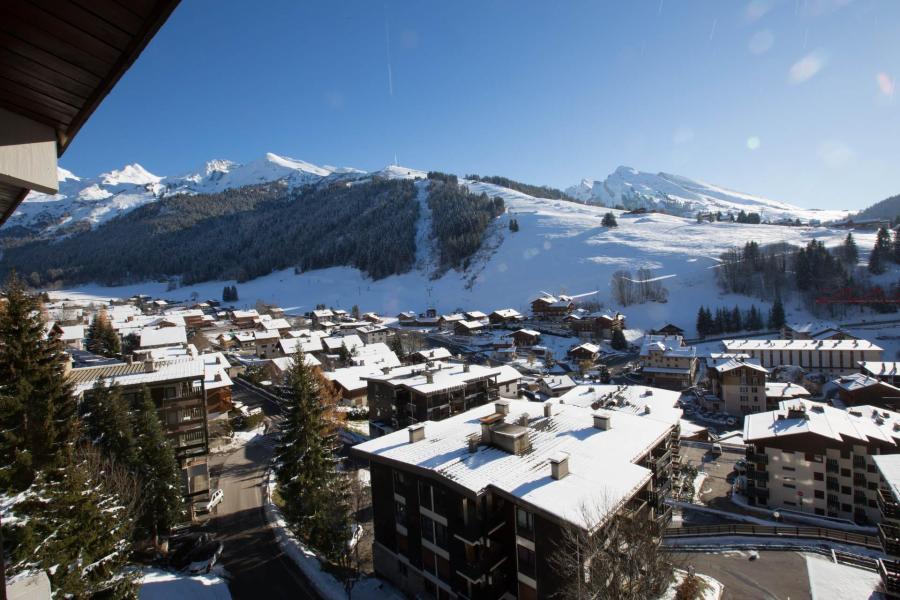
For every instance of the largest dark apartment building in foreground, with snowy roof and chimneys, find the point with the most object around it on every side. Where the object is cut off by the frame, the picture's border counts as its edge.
(473, 506)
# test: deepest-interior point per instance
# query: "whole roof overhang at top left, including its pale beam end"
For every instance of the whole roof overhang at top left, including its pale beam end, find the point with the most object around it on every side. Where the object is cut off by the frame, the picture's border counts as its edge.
(58, 61)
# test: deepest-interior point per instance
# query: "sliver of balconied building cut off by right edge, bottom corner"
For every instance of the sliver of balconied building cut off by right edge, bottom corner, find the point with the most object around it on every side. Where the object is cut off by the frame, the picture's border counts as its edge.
(888, 466)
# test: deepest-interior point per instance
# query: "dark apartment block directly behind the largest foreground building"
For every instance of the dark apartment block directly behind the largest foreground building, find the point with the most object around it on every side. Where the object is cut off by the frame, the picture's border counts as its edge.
(400, 396)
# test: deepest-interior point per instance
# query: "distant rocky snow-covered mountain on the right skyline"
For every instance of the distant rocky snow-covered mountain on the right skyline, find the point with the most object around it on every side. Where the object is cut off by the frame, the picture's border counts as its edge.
(686, 197)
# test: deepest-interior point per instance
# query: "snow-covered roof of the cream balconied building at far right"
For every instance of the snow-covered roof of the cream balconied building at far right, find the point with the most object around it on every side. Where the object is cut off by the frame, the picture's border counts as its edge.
(862, 423)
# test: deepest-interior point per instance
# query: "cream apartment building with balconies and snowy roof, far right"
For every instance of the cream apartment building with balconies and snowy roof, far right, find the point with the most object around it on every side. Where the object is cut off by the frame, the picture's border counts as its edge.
(811, 457)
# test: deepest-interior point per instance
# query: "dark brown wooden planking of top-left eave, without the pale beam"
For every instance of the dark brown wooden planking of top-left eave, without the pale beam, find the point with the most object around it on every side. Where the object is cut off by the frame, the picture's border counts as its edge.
(60, 58)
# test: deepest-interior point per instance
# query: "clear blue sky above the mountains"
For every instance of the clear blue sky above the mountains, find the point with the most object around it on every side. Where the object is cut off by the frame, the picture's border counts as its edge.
(794, 100)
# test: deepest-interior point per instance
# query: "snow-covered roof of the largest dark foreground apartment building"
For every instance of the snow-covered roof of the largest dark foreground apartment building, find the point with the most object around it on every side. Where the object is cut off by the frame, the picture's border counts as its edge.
(602, 469)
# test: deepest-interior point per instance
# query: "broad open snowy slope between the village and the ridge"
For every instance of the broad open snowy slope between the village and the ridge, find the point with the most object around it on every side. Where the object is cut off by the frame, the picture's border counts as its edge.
(561, 247)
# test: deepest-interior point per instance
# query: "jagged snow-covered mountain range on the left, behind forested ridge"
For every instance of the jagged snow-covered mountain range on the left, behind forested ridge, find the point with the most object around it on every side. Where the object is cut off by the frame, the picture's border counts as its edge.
(83, 202)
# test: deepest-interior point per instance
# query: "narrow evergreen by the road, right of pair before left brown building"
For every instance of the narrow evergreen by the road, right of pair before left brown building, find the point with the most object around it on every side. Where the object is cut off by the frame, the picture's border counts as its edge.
(158, 471)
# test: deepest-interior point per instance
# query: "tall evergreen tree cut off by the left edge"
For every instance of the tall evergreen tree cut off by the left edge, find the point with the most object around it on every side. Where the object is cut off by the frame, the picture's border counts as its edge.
(37, 423)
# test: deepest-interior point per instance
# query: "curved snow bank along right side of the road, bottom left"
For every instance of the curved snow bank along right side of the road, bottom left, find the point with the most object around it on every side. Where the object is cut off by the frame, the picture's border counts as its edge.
(325, 584)
